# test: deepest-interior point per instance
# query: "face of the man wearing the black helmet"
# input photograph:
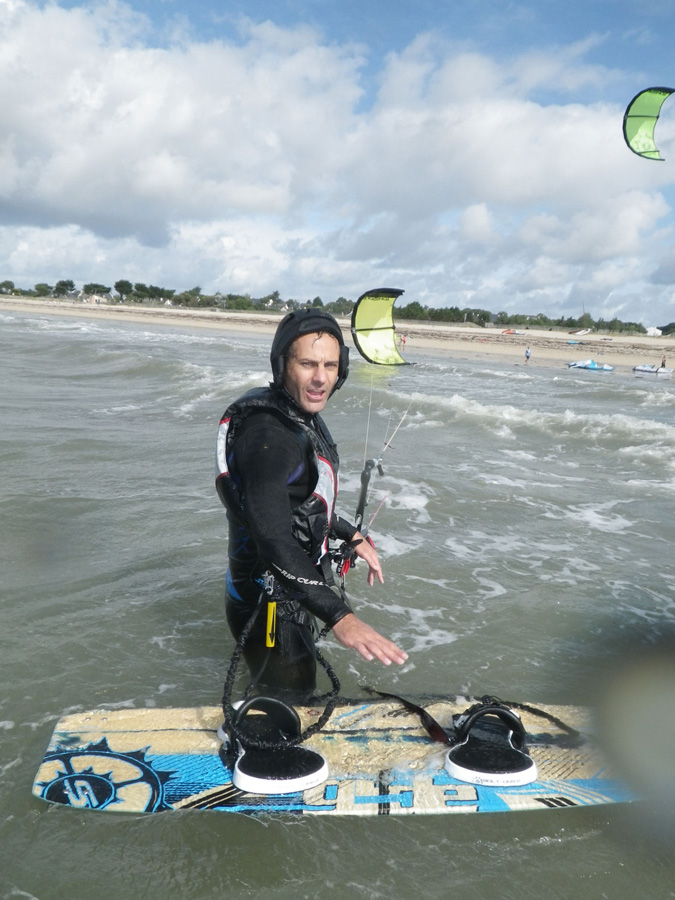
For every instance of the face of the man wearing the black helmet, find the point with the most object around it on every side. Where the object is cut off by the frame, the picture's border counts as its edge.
(311, 370)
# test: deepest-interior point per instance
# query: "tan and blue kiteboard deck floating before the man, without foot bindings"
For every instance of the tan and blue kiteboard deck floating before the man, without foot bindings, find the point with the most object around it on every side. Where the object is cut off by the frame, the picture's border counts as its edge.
(381, 761)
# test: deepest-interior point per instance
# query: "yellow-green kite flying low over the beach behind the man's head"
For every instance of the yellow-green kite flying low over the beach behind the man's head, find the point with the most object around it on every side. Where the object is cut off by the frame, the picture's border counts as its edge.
(373, 327)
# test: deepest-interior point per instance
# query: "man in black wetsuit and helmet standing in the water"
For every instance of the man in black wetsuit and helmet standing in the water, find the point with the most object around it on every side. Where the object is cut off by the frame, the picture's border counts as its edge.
(277, 477)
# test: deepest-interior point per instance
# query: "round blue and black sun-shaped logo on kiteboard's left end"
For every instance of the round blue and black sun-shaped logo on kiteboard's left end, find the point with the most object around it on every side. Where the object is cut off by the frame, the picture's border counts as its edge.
(96, 777)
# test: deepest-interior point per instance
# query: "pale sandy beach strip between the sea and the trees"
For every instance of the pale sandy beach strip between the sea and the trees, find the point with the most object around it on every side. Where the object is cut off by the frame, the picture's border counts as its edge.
(547, 348)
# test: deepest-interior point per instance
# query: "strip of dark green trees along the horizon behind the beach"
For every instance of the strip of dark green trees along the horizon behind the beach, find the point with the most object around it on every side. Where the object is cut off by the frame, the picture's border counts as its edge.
(125, 291)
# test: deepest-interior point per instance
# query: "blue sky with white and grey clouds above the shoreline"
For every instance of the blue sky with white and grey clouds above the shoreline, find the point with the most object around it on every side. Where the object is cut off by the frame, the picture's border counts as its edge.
(468, 152)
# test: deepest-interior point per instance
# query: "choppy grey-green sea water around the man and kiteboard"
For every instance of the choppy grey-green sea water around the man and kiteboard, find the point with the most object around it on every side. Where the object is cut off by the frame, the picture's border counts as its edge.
(525, 521)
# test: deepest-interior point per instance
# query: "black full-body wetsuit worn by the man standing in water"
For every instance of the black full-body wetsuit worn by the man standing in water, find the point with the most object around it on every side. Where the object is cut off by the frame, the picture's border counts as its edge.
(274, 466)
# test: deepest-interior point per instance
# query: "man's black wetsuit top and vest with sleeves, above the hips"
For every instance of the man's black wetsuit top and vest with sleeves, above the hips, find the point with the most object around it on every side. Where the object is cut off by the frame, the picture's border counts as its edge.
(273, 460)
